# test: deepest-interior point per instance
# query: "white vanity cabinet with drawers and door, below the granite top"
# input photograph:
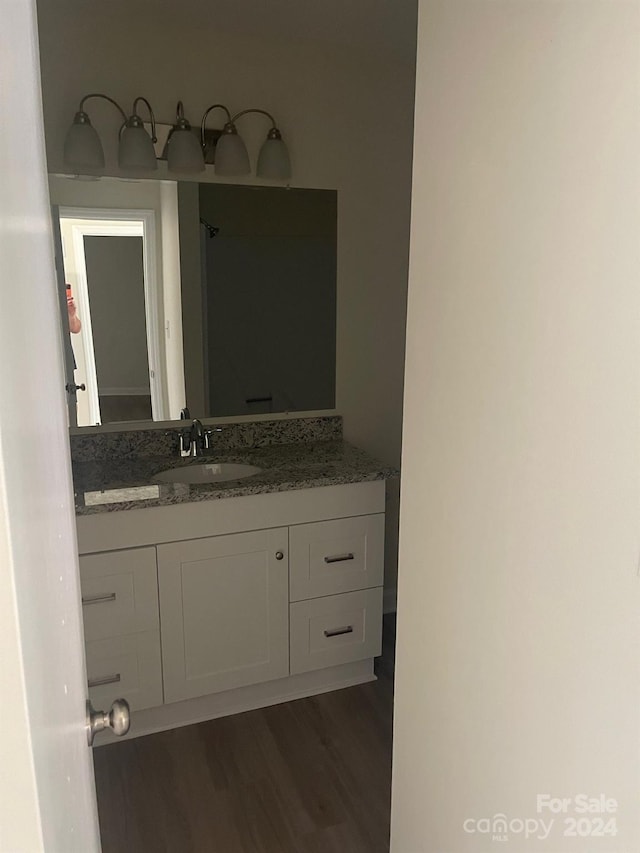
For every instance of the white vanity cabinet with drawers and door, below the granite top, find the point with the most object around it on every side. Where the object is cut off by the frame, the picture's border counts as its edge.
(201, 609)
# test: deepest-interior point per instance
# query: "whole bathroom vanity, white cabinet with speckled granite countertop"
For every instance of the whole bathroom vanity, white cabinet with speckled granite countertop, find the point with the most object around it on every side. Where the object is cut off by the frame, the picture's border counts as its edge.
(201, 600)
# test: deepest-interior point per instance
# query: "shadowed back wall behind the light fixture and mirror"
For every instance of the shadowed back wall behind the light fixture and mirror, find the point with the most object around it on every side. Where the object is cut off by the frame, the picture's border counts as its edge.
(339, 79)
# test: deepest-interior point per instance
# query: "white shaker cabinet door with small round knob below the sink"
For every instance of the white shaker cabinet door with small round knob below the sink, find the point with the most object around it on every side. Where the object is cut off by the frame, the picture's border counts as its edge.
(224, 612)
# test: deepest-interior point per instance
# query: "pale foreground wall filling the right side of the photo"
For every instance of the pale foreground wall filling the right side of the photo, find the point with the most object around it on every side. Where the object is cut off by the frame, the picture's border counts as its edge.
(519, 603)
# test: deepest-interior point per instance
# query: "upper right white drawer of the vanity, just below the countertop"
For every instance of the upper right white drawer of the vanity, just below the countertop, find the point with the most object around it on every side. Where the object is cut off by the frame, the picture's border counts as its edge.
(330, 557)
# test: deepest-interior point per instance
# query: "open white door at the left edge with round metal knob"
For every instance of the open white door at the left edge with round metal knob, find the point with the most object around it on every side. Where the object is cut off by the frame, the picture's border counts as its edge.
(47, 795)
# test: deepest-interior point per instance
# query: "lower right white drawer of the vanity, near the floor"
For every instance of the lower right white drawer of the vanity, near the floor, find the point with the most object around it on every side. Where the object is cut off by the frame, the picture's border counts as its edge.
(336, 629)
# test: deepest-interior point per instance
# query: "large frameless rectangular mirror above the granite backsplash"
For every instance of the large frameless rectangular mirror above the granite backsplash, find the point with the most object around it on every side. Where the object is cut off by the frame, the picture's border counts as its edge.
(216, 297)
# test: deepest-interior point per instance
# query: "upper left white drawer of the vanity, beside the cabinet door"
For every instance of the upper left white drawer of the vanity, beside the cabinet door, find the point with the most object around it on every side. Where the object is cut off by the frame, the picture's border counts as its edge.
(119, 593)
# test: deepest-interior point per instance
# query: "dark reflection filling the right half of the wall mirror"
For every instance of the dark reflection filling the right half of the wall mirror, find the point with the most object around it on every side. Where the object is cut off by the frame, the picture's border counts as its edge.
(259, 298)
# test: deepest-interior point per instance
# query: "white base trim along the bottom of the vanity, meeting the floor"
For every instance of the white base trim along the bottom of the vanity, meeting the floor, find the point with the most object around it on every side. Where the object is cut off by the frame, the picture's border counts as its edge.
(152, 720)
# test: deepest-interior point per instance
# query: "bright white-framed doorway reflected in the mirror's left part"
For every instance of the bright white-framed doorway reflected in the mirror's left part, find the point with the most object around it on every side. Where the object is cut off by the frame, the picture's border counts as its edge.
(106, 279)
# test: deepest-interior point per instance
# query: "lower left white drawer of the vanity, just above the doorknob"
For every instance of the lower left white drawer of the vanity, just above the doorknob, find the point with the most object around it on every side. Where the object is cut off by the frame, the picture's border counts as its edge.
(126, 667)
